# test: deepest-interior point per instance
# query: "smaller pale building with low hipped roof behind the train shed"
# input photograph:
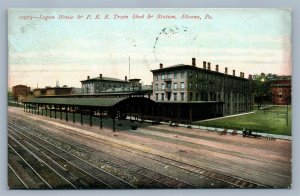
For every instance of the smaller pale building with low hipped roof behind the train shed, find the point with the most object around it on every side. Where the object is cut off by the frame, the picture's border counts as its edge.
(102, 84)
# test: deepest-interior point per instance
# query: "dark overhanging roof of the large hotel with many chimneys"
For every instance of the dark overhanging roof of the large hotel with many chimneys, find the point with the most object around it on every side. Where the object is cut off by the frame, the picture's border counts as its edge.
(184, 66)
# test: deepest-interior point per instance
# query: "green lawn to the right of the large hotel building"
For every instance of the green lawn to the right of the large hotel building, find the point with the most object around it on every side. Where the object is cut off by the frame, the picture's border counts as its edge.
(269, 120)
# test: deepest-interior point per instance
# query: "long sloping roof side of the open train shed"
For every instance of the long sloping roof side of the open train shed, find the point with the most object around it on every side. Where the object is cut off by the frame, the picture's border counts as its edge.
(99, 102)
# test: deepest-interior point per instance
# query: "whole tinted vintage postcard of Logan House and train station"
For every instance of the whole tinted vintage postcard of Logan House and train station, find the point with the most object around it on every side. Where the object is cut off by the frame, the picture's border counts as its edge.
(149, 98)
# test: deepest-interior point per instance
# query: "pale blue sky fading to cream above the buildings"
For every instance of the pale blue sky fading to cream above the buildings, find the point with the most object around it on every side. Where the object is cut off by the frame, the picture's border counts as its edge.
(42, 51)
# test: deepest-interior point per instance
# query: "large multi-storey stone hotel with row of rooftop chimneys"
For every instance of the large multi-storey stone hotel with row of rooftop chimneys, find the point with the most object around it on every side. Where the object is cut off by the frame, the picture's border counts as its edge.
(189, 83)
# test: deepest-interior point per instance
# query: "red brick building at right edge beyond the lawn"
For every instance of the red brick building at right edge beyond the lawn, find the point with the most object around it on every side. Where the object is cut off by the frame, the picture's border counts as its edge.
(281, 90)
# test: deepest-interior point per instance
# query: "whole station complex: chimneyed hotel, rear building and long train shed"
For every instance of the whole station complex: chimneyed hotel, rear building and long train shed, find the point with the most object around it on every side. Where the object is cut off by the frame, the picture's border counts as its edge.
(180, 94)
